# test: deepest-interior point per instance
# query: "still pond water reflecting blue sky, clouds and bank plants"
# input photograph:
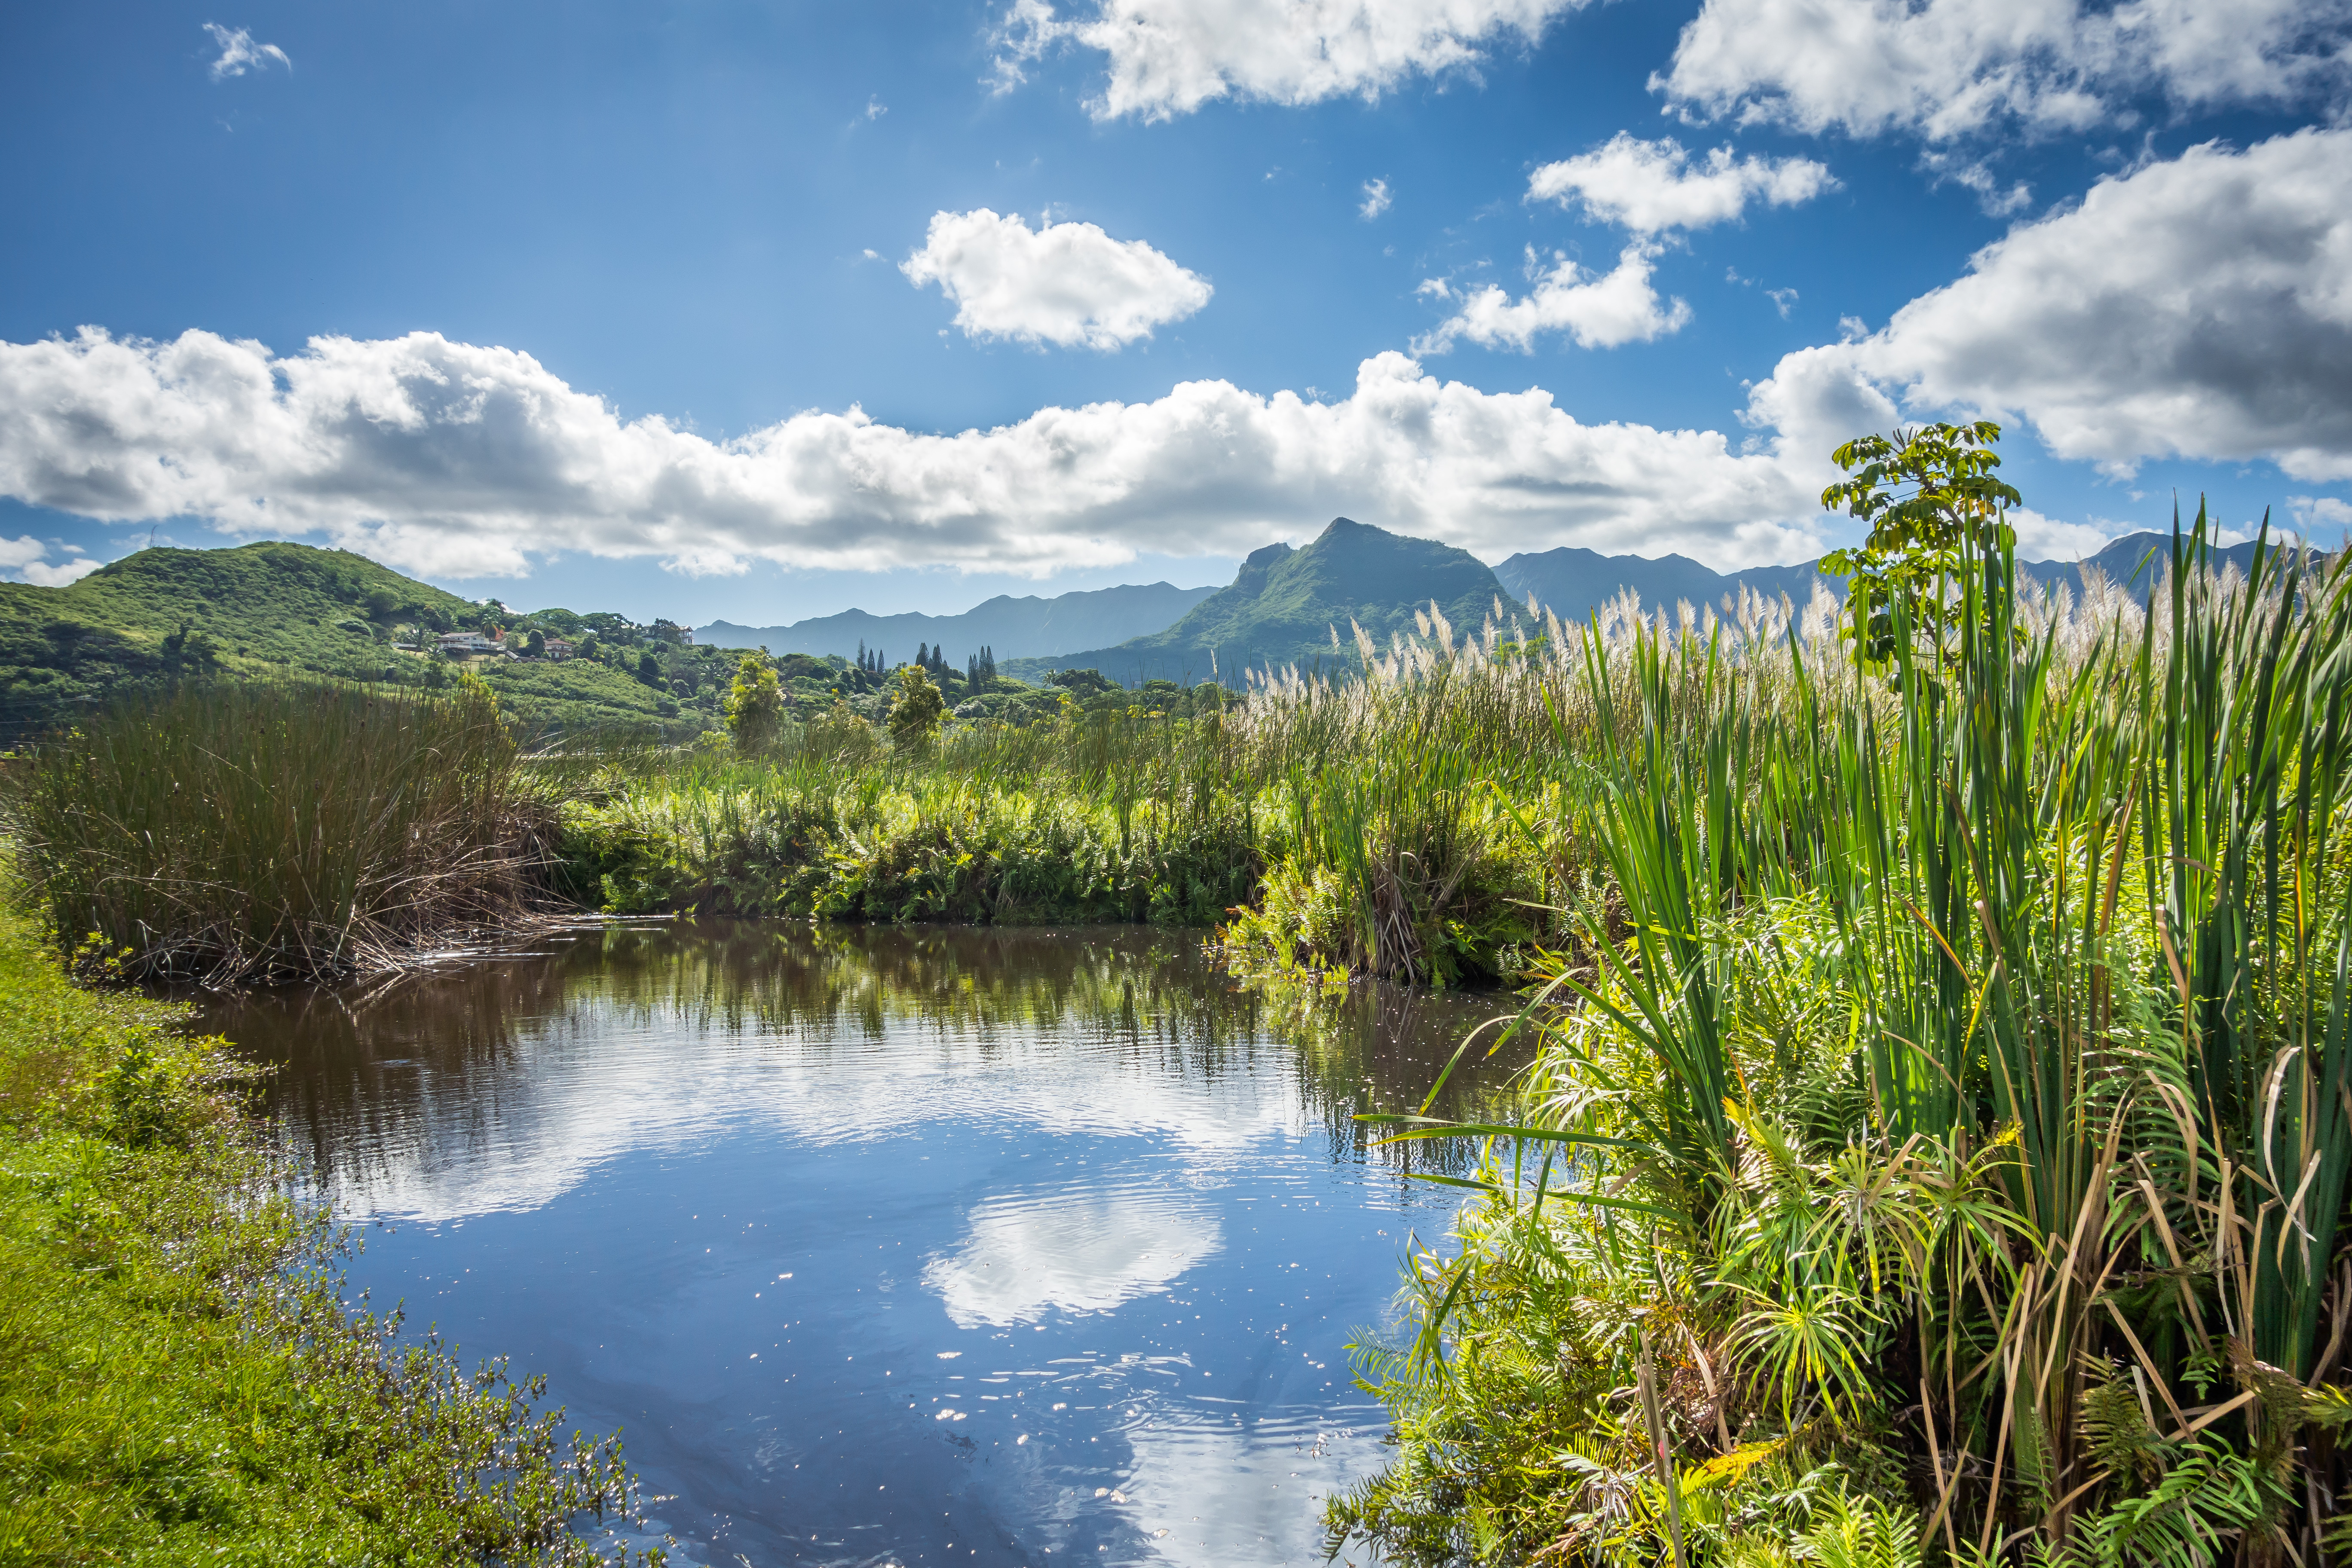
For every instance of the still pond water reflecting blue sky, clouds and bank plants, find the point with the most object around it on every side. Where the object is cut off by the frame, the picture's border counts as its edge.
(895, 1247)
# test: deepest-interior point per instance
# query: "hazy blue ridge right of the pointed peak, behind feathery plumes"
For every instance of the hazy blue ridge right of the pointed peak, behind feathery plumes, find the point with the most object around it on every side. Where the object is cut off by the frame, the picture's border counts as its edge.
(1572, 584)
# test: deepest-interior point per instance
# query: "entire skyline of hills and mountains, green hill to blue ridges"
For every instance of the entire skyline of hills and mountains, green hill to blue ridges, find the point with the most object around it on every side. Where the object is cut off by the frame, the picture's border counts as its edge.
(283, 610)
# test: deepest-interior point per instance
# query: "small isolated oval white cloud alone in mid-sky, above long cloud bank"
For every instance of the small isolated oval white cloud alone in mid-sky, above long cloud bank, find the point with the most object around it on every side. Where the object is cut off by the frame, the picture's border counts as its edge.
(1062, 283)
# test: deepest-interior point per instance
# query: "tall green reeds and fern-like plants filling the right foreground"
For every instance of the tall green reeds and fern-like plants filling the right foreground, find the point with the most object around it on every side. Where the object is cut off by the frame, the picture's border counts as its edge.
(1960, 1101)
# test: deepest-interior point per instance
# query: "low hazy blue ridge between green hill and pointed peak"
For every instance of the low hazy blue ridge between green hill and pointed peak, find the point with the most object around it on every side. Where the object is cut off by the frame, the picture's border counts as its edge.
(1013, 629)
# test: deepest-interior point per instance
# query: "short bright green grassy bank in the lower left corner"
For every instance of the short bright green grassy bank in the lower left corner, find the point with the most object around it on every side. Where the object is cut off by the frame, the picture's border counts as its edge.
(180, 1376)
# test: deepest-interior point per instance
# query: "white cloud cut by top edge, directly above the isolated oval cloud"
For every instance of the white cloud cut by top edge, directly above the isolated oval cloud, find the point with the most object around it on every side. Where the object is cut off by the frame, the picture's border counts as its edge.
(1168, 58)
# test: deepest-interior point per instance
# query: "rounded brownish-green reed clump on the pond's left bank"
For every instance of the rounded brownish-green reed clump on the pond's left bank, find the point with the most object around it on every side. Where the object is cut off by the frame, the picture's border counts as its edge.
(236, 833)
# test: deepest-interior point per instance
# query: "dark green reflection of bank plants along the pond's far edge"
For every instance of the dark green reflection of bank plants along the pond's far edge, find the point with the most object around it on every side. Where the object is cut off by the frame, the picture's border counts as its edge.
(1154, 998)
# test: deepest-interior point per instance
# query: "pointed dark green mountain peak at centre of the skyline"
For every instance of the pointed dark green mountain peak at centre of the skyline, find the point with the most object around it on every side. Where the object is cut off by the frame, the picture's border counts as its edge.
(1285, 605)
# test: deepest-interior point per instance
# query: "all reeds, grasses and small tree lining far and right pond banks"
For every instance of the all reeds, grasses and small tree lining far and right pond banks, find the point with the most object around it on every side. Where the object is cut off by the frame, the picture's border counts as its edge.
(1942, 1132)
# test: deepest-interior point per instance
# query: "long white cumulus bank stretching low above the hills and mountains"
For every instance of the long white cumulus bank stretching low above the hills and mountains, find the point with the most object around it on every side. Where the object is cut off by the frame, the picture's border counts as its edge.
(462, 460)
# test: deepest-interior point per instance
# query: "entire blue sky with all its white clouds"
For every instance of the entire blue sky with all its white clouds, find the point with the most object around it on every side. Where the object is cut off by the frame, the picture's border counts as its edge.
(1478, 241)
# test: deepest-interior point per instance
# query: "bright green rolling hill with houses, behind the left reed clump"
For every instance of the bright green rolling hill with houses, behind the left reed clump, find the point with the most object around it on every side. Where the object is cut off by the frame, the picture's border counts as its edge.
(281, 610)
